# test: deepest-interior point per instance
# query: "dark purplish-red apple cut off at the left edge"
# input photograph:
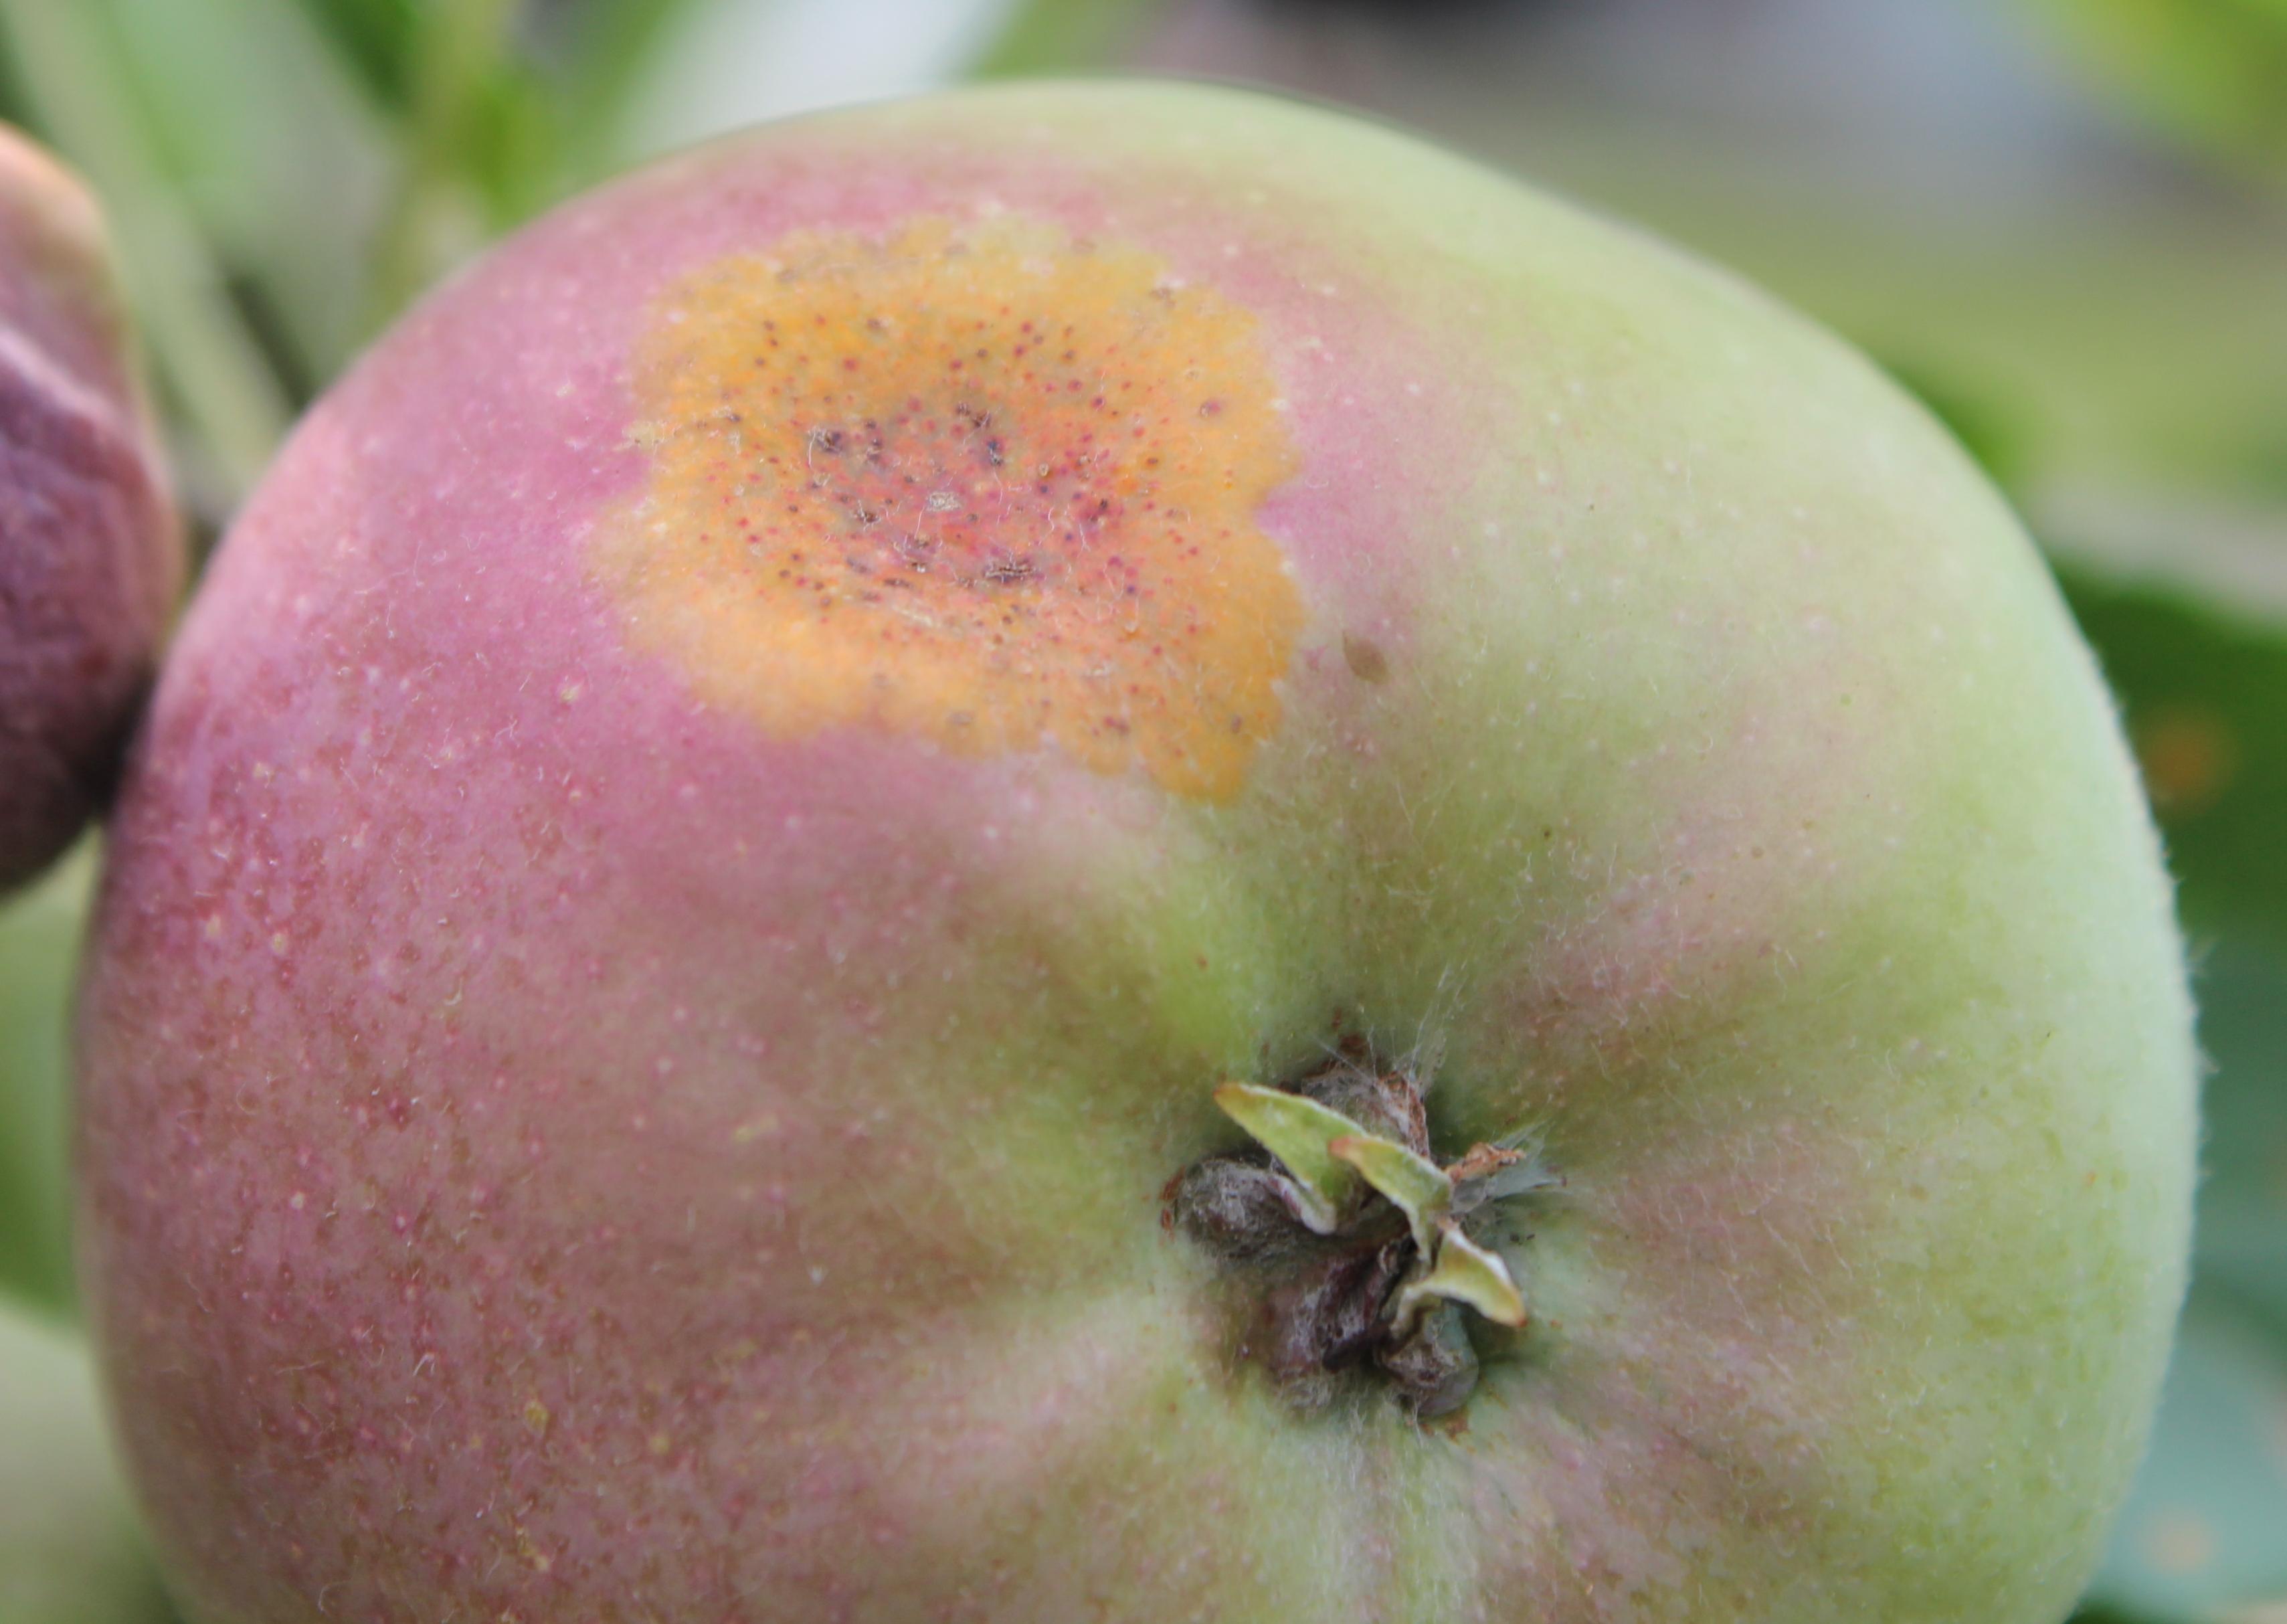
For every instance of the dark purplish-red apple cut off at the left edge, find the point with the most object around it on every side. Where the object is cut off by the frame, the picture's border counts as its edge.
(90, 552)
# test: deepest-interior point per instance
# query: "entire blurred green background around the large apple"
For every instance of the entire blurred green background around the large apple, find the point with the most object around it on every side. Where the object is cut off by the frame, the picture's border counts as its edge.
(2064, 223)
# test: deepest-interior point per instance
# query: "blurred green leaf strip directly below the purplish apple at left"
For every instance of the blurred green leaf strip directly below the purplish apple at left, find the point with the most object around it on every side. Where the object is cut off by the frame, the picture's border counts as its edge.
(40, 948)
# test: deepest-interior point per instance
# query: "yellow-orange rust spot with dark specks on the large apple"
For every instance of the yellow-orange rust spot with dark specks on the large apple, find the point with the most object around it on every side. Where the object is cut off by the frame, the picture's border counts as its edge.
(982, 486)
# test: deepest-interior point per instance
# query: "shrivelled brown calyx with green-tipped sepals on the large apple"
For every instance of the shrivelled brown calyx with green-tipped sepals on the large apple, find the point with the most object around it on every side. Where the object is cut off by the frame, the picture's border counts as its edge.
(1355, 1236)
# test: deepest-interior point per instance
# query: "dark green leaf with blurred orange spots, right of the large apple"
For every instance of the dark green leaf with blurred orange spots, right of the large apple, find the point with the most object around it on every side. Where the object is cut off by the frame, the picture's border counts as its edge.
(2204, 694)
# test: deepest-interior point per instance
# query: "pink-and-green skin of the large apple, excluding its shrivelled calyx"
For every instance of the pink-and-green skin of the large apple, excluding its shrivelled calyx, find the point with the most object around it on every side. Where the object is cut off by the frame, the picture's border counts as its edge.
(632, 1069)
